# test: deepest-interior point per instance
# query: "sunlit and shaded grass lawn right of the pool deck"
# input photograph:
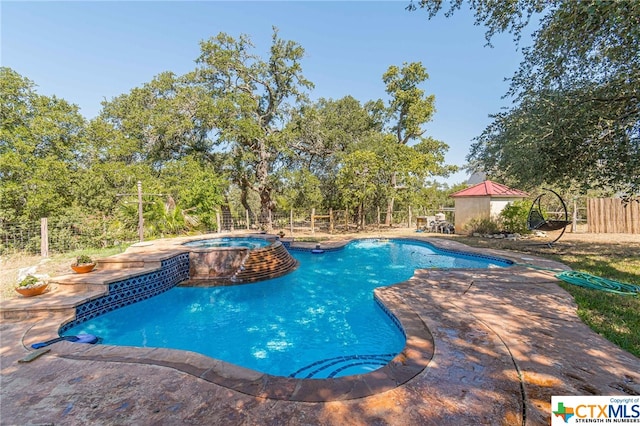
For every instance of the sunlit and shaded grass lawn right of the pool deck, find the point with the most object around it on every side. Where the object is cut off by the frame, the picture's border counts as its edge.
(615, 317)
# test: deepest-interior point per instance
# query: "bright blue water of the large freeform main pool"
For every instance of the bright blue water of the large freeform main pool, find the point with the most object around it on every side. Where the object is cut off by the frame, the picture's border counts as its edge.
(319, 321)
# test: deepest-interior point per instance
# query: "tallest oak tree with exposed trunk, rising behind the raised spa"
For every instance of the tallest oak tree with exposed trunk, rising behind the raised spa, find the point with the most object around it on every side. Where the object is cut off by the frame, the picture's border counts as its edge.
(252, 97)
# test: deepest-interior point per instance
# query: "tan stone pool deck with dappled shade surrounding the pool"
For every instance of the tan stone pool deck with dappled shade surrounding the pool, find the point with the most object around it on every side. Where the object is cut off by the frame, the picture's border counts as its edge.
(500, 343)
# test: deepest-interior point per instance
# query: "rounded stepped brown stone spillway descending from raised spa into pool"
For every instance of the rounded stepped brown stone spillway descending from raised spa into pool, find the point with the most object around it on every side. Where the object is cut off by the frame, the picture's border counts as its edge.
(265, 263)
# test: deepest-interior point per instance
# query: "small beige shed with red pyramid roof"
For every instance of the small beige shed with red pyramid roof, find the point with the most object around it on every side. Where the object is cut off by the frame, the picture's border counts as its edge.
(485, 199)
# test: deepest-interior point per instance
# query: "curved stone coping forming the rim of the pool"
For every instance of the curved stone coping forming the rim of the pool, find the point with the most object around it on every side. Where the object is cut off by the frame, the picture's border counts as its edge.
(414, 358)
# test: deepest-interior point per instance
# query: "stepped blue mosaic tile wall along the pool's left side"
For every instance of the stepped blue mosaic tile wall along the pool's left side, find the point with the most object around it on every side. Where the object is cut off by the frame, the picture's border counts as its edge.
(135, 289)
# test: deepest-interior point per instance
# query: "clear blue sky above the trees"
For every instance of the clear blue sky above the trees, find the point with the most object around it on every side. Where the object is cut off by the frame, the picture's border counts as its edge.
(87, 52)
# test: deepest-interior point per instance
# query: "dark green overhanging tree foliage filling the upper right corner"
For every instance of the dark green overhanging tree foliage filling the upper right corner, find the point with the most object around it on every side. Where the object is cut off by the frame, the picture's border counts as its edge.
(575, 116)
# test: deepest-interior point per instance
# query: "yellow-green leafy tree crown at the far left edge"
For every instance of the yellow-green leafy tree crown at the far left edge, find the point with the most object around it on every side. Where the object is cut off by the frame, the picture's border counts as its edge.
(40, 141)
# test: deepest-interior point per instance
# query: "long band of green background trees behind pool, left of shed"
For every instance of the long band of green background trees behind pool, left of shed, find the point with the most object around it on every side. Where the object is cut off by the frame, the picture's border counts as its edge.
(237, 132)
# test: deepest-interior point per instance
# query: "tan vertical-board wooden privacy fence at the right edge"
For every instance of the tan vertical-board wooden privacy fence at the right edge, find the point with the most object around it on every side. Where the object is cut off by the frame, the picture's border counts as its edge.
(609, 215)
